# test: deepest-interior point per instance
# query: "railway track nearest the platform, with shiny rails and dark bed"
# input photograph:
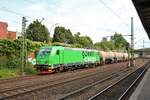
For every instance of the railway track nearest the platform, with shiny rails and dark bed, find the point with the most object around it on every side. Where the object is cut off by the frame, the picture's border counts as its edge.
(122, 89)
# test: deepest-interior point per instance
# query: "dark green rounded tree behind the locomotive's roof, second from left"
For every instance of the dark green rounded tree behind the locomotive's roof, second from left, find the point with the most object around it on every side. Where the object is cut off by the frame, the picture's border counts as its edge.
(63, 35)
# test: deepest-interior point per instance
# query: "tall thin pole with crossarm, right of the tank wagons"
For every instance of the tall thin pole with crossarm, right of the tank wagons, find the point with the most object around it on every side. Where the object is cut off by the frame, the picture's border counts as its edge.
(132, 43)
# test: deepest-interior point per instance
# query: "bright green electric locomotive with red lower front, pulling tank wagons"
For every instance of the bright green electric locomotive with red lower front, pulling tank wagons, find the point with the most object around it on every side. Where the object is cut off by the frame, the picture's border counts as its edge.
(58, 58)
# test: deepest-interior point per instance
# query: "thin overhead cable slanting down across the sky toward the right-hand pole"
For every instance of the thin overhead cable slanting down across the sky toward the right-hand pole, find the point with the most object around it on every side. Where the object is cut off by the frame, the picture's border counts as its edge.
(102, 2)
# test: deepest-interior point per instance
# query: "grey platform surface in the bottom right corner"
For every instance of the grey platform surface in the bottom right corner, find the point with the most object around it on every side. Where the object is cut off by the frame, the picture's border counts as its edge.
(142, 92)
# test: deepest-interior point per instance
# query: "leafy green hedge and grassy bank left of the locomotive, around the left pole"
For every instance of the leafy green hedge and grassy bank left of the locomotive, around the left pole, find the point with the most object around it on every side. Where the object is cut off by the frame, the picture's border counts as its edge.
(11, 55)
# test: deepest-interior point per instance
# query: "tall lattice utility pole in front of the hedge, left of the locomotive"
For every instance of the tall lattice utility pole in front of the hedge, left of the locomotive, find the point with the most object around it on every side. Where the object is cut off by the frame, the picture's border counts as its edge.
(24, 48)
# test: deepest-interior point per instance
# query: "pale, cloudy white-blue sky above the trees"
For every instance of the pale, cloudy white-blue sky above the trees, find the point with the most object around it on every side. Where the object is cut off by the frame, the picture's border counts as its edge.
(94, 18)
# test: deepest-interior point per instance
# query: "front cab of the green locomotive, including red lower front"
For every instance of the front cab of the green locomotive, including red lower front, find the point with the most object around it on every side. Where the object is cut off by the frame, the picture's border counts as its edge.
(48, 58)
